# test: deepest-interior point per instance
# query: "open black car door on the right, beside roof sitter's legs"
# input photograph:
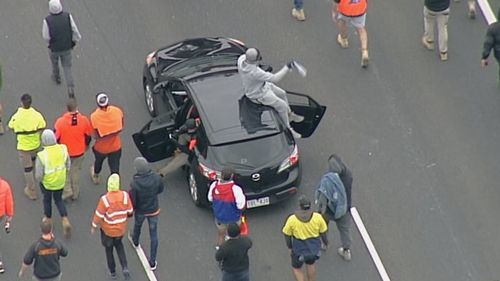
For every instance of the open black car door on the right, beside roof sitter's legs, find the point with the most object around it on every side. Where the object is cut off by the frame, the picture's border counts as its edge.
(305, 106)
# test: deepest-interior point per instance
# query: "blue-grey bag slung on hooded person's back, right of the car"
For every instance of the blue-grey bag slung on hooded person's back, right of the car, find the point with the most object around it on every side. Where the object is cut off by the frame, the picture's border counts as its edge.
(333, 189)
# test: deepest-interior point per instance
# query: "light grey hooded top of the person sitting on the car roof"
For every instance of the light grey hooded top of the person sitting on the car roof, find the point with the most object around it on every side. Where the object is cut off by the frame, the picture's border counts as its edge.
(255, 80)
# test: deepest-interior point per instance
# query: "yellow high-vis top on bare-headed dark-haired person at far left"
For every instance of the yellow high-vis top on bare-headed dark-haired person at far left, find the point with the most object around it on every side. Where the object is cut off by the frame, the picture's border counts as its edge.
(26, 124)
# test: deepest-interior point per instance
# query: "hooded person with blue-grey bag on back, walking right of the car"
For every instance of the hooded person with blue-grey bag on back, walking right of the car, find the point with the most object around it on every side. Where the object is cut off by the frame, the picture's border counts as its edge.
(328, 201)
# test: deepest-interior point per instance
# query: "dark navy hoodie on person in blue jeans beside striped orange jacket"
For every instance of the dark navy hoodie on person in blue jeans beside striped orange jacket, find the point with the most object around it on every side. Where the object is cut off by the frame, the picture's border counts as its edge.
(144, 192)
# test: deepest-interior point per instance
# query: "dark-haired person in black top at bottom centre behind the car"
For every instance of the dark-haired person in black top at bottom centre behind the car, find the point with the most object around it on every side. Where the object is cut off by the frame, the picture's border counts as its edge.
(233, 255)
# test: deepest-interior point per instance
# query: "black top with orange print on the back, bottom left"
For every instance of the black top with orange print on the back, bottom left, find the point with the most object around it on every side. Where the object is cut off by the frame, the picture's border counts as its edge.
(45, 254)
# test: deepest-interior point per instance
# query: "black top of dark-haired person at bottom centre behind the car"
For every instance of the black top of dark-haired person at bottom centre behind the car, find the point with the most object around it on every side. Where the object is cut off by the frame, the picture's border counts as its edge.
(234, 254)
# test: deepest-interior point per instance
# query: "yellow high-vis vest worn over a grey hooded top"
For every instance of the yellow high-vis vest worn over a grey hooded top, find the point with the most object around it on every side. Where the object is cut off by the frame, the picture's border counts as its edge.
(53, 159)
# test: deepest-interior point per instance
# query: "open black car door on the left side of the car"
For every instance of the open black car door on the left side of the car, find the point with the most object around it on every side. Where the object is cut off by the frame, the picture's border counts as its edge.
(153, 140)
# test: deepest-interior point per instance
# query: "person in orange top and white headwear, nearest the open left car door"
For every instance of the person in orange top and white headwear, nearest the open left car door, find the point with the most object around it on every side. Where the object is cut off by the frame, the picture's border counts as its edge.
(107, 122)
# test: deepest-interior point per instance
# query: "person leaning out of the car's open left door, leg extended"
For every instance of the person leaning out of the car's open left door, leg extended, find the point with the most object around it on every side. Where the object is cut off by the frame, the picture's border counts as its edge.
(185, 142)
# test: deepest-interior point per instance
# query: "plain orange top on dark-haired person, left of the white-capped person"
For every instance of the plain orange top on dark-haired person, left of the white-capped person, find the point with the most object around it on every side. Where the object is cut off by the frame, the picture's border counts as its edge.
(72, 129)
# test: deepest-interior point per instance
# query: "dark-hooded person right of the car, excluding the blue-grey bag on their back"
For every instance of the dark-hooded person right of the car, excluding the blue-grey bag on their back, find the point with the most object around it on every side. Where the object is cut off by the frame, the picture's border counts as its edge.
(335, 165)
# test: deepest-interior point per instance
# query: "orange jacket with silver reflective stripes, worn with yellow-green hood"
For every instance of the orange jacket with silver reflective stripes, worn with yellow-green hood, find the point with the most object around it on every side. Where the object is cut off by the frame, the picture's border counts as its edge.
(112, 212)
